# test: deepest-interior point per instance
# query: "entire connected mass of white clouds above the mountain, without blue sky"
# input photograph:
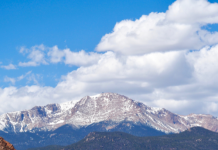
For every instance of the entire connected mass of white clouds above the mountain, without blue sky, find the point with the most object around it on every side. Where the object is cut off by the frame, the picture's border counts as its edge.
(162, 59)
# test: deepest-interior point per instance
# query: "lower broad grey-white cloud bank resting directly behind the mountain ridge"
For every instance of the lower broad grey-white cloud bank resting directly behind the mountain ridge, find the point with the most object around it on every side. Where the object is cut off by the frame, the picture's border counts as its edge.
(175, 80)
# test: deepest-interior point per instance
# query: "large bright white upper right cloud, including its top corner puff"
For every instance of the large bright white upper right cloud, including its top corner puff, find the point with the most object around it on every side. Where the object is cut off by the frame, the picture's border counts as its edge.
(180, 28)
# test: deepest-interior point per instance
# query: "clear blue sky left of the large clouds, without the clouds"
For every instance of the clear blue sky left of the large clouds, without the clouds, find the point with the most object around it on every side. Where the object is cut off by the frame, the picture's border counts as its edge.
(77, 24)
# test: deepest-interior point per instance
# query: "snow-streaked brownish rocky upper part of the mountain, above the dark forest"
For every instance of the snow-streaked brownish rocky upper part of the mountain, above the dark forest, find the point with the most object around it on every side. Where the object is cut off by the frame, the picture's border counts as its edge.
(102, 107)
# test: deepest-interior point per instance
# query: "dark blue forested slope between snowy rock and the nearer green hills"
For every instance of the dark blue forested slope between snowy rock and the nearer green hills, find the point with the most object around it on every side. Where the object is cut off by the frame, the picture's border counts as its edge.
(66, 135)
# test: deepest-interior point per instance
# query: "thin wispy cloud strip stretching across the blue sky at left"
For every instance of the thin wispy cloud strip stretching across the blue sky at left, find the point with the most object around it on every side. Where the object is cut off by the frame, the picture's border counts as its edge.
(41, 54)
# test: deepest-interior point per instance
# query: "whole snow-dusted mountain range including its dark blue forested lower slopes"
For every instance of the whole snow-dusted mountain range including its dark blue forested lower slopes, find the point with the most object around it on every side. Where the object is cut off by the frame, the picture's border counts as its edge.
(102, 112)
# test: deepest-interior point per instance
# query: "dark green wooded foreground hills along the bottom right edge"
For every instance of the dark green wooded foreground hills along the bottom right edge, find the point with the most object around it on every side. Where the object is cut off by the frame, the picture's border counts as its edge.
(195, 138)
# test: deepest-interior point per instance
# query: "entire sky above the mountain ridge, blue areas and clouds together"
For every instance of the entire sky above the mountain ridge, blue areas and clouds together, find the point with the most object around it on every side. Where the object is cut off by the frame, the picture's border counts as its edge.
(163, 53)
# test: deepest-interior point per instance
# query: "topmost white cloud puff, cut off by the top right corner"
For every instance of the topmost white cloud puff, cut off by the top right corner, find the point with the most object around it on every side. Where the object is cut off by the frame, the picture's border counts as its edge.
(193, 11)
